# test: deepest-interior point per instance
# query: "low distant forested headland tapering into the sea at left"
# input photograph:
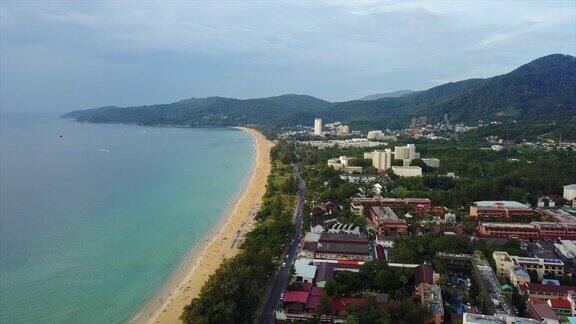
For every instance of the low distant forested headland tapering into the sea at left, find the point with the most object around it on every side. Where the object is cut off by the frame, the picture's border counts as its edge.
(213, 111)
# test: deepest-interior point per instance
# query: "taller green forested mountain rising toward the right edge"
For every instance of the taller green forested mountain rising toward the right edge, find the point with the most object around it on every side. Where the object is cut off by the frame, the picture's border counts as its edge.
(543, 88)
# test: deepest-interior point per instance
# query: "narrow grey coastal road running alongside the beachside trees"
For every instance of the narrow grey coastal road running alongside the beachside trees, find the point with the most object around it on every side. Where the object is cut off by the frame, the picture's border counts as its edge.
(281, 278)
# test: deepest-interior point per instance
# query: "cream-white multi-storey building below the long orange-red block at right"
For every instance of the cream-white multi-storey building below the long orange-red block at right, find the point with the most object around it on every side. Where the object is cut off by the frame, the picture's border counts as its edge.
(506, 265)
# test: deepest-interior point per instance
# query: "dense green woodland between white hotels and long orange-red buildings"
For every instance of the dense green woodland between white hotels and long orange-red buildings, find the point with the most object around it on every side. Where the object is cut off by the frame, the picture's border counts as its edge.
(515, 174)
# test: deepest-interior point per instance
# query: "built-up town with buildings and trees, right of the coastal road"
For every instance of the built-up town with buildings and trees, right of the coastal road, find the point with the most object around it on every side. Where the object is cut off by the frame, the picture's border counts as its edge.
(373, 250)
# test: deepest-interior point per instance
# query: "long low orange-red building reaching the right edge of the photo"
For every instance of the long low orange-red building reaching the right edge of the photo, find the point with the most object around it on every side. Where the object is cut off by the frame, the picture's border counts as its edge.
(533, 230)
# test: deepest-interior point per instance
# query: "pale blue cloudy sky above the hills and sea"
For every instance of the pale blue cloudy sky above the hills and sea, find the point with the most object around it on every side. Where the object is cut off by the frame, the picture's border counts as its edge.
(62, 56)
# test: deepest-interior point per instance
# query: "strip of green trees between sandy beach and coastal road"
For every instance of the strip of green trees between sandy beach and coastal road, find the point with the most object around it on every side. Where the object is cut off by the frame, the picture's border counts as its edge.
(233, 293)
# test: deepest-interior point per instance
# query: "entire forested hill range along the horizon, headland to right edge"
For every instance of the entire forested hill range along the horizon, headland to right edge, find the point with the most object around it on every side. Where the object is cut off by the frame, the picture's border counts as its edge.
(544, 89)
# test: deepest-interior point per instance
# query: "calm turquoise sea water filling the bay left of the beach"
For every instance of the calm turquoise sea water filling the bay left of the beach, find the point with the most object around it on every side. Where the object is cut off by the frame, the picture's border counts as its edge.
(93, 223)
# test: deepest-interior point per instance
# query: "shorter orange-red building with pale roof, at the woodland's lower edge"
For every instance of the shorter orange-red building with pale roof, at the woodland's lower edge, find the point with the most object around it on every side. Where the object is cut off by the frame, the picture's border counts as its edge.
(499, 210)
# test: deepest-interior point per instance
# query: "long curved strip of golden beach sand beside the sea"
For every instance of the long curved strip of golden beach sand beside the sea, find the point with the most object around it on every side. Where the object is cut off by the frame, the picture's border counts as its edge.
(222, 242)
